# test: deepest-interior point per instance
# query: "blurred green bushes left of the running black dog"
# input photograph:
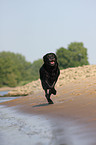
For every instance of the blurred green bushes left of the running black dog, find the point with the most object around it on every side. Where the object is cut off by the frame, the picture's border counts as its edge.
(15, 69)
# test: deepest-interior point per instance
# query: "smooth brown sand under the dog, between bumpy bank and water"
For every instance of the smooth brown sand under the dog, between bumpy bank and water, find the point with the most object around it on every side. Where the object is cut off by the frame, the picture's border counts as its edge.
(80, 95)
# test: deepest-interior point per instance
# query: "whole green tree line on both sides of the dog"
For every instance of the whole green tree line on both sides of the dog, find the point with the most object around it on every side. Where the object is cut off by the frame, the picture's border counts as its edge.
(15, 70)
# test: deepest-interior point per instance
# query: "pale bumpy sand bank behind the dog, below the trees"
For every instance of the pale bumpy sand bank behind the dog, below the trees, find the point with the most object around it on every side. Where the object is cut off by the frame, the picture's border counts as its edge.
(66, 76)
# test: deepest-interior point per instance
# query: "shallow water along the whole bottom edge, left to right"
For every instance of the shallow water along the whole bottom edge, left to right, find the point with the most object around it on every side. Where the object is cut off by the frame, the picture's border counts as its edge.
(17, 128)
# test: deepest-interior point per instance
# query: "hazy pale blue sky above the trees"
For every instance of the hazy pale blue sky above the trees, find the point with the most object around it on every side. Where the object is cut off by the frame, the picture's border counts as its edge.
(35, 27)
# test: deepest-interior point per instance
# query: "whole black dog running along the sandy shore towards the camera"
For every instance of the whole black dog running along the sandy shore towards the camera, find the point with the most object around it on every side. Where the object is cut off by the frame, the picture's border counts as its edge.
(49, 73)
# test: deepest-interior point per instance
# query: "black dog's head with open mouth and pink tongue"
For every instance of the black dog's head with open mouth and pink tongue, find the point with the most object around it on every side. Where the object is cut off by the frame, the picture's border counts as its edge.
(50, 59)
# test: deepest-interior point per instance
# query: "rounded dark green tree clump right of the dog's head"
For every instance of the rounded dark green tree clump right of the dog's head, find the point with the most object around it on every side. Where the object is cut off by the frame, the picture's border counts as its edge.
(75, 55)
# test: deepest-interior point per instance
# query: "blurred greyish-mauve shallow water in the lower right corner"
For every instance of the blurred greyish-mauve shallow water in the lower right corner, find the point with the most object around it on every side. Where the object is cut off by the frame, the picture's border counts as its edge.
(72, 133)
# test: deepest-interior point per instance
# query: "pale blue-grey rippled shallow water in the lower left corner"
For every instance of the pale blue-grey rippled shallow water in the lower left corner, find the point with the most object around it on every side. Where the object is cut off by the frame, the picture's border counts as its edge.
(17, 128)
